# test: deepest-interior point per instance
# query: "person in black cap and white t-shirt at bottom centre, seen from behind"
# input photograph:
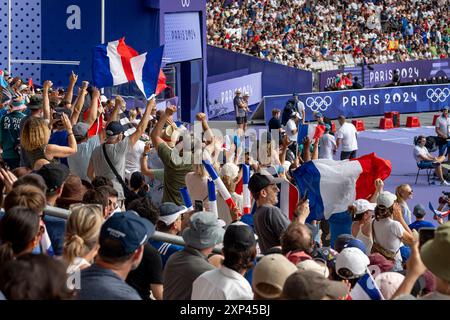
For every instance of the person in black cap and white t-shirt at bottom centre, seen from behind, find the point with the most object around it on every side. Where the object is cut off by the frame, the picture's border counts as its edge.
(228, 282)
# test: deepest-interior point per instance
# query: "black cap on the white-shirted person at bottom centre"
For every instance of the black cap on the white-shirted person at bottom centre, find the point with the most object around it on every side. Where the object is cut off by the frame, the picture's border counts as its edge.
(239, 237)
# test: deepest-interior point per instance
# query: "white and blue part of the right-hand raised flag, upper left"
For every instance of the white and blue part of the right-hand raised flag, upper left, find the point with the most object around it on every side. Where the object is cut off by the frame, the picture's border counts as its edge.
(146, 69)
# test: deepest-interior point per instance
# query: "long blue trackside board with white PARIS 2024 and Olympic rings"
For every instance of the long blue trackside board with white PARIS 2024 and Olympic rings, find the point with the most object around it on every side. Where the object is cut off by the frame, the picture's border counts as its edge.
(367, 102)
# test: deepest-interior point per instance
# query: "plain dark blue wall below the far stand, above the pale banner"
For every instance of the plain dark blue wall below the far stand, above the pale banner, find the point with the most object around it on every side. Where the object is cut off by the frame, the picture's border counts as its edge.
(276, 78)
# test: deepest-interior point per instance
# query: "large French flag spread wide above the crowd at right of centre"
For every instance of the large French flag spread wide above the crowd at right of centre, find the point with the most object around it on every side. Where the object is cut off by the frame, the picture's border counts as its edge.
(333, 185)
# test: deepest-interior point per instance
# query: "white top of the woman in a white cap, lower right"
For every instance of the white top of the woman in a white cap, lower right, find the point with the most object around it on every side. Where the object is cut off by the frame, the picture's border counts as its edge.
(388, 233)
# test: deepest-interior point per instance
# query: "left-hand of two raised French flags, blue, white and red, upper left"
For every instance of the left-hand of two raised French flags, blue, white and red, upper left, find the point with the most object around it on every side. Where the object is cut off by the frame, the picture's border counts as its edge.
(111, 64)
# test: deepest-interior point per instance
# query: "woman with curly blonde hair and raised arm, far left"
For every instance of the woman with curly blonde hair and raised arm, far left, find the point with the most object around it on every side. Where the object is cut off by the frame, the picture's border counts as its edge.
(34, 140)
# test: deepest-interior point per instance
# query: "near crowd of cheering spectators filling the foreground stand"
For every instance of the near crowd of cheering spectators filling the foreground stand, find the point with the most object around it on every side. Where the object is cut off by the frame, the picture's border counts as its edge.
(78, 153)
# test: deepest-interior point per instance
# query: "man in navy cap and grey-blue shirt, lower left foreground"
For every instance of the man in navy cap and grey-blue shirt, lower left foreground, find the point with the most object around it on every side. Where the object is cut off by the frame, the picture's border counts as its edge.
(121, 248)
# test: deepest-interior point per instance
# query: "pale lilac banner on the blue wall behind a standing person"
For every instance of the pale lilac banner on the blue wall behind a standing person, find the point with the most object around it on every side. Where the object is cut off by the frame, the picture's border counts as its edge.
(221, 94)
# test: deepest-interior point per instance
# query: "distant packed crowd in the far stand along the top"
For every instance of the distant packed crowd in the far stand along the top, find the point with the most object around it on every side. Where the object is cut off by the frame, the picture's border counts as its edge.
(299, 33)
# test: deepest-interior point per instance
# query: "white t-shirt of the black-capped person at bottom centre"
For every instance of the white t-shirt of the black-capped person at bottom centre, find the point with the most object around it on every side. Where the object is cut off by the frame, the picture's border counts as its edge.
(221, 284)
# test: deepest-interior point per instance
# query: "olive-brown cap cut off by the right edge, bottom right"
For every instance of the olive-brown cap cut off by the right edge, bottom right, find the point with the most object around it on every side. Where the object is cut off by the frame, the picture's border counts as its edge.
(432, 252)
